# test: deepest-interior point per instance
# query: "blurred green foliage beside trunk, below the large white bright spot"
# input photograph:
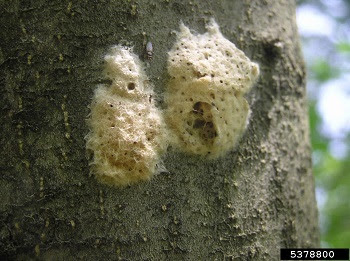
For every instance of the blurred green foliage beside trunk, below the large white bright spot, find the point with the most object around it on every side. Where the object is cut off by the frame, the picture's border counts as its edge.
(333, 176)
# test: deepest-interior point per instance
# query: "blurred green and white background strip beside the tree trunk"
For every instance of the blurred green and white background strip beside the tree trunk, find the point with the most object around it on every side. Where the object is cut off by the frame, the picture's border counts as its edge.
(324, 26)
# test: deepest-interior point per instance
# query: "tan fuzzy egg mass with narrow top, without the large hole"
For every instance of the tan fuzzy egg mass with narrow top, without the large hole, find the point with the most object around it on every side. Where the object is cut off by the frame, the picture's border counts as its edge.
(126, 129)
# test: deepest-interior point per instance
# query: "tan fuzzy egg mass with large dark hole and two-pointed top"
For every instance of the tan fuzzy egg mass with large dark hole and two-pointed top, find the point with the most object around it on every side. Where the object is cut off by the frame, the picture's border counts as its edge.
(206, 108)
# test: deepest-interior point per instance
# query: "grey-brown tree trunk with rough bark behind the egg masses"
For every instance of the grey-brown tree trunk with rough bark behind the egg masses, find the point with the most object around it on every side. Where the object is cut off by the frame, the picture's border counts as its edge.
(243, 206)
